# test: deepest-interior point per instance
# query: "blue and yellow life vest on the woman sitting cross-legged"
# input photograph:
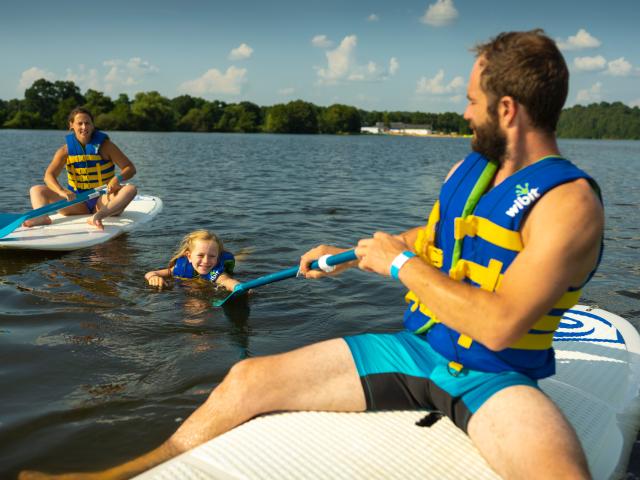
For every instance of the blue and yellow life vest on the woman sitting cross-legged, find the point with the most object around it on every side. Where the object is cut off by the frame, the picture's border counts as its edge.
(86, 169)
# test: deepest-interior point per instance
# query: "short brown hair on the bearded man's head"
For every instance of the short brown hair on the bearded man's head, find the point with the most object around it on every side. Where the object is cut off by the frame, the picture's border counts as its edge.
(528, 67)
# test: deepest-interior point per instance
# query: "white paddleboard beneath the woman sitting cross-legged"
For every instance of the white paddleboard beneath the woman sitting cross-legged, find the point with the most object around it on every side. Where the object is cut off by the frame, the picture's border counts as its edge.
(73, 232)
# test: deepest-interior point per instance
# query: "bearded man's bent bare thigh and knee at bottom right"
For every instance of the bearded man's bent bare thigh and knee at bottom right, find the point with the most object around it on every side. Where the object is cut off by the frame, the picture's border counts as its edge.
(522, 434)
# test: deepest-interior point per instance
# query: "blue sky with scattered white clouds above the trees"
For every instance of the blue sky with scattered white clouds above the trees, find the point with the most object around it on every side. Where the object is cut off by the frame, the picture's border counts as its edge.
(403, 55)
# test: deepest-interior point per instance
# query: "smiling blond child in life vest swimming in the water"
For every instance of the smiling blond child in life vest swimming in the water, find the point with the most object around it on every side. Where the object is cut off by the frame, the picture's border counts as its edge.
(200, 255)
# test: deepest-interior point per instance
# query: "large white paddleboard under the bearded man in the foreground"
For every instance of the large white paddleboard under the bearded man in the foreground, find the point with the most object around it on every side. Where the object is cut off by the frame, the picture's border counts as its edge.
(596, 386)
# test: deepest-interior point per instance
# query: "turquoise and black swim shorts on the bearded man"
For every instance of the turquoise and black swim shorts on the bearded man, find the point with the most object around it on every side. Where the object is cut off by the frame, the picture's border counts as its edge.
(400, 371)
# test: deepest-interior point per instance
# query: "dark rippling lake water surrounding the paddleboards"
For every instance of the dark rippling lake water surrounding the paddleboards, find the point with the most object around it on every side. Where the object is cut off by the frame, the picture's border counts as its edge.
(96, 367)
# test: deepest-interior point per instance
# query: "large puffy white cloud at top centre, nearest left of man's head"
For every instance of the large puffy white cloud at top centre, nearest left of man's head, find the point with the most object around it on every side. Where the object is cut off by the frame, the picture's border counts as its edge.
(342, 65)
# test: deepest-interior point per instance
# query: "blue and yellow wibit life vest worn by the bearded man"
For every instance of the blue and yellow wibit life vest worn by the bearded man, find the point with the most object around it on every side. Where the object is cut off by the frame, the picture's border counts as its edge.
(473, 235)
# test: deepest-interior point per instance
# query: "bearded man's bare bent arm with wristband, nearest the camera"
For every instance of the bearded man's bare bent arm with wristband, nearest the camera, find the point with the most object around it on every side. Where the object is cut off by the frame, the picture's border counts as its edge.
(561, 240)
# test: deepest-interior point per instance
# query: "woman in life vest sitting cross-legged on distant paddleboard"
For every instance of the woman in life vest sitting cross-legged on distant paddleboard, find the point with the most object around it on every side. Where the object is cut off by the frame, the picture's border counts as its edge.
(90, 158)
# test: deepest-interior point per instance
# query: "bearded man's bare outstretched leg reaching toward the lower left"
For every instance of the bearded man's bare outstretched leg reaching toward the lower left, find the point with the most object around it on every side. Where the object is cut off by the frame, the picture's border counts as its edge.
(322, 376)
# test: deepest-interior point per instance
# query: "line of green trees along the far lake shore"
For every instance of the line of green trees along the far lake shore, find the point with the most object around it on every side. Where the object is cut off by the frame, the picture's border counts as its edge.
(47, 104)
